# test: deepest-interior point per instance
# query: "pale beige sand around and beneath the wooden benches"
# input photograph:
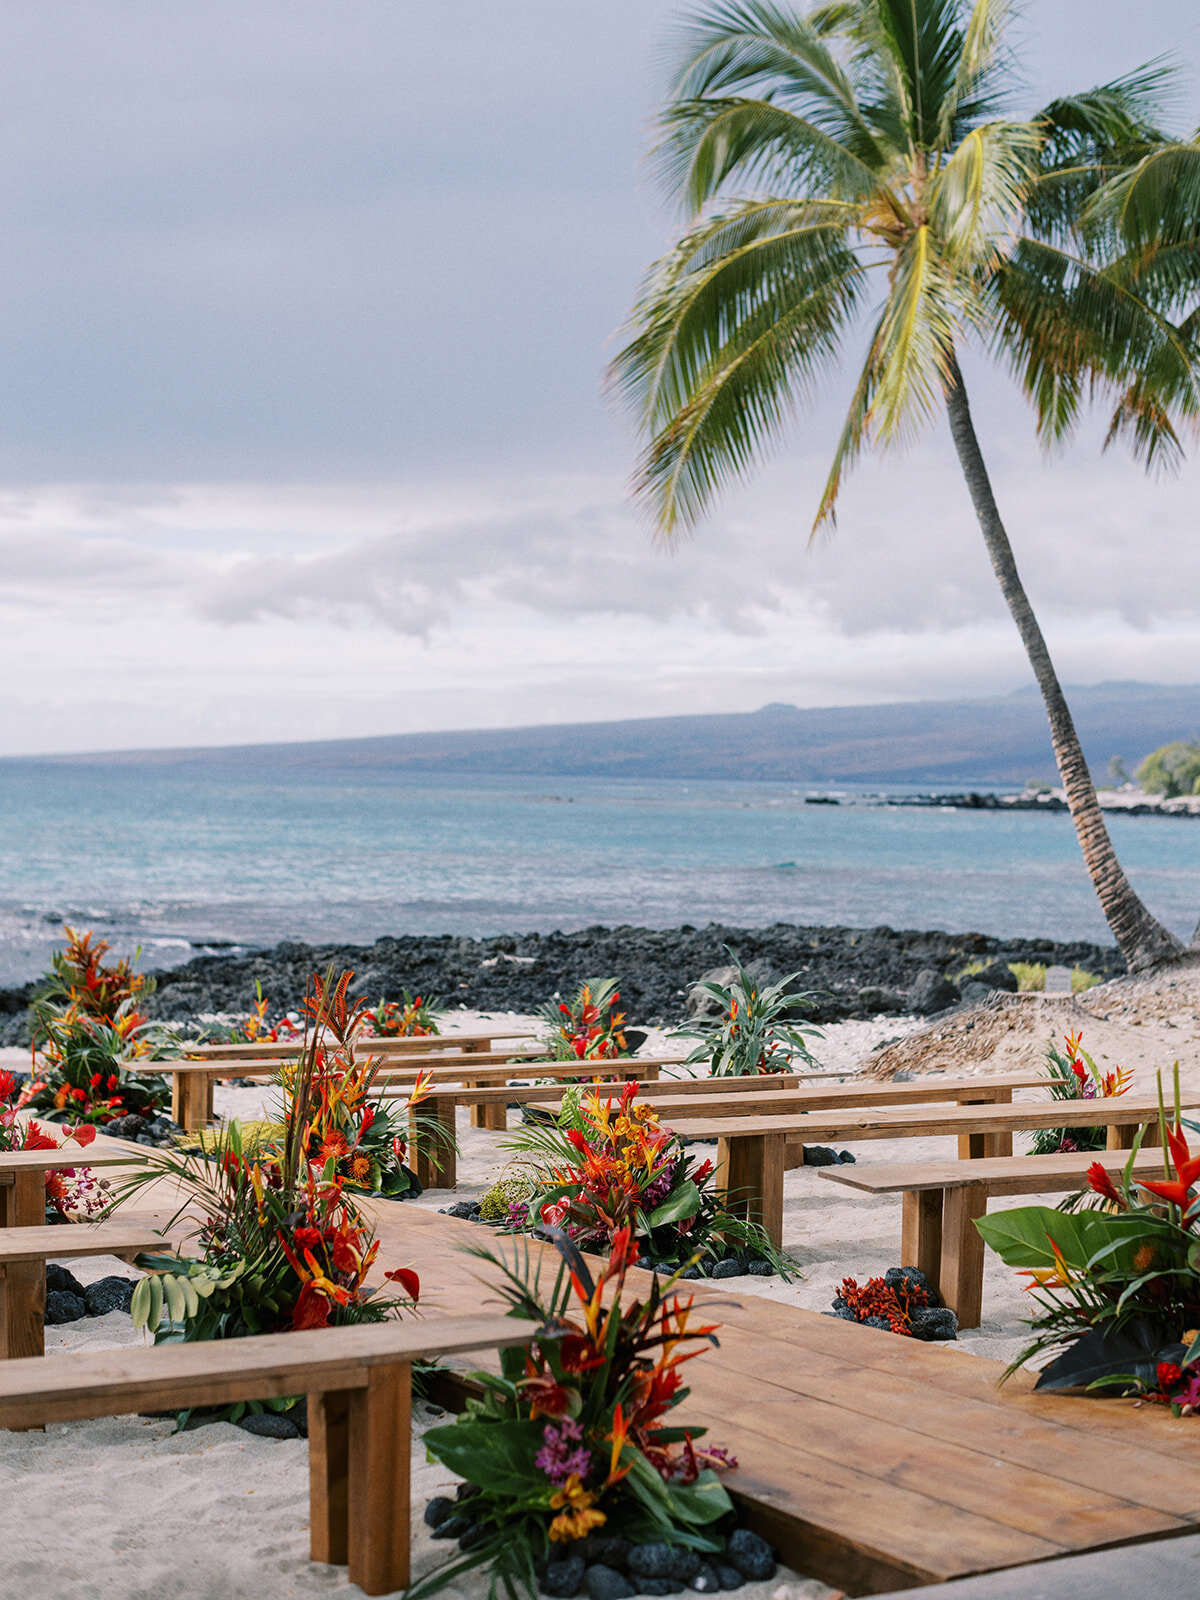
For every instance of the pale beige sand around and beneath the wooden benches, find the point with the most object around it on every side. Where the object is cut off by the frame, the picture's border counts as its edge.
(124, 1510)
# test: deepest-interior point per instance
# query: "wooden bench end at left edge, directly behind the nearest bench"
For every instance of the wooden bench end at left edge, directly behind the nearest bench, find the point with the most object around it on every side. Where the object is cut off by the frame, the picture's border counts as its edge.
(25, 1254)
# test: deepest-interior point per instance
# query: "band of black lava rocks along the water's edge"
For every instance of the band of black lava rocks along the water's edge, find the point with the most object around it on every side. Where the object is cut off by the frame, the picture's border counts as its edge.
(854, 972)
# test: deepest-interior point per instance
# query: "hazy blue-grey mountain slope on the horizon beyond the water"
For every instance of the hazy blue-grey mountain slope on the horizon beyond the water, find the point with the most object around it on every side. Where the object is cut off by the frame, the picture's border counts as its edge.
(1002, 740)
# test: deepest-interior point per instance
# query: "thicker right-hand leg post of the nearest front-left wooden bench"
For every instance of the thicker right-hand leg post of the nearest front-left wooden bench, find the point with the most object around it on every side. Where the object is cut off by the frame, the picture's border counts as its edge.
(380, 1450)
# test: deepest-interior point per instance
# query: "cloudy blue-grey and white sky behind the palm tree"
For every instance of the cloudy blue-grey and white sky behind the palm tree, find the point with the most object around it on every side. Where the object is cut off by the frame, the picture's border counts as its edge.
(305, 319)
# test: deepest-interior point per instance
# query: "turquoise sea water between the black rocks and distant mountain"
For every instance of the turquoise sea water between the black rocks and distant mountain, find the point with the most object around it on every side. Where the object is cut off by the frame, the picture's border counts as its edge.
(175, 860)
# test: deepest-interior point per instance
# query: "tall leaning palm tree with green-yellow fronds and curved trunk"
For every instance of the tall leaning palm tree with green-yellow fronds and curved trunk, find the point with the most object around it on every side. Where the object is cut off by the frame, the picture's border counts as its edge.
(865, 143)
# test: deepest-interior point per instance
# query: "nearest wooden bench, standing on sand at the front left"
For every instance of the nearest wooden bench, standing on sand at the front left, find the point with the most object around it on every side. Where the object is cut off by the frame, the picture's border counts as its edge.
(359, 1388)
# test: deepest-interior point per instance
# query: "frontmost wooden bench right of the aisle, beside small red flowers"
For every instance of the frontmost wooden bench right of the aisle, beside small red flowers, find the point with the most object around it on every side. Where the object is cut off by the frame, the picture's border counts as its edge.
(942, 1202)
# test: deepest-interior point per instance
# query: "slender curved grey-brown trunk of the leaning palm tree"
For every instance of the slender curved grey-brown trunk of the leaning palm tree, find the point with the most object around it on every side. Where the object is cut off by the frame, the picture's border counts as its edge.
(1140, 937)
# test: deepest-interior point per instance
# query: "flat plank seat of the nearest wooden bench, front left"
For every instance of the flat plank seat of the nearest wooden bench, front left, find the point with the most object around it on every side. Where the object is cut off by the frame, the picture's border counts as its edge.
(167, 1377)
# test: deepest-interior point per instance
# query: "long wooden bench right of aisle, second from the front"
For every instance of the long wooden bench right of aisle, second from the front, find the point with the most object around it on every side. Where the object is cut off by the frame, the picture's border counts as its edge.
(756, 1151)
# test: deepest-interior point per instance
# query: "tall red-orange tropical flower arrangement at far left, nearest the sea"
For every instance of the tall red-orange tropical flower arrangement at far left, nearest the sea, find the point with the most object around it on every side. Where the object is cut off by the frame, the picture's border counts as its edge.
(87, 1030)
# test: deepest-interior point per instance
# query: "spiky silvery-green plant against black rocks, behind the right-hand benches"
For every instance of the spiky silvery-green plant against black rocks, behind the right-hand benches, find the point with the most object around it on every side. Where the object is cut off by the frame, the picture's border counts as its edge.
(754, 1030)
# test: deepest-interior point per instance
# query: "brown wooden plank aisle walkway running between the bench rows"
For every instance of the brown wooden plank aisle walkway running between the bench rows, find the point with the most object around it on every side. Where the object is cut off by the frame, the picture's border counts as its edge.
(876, 1463)
